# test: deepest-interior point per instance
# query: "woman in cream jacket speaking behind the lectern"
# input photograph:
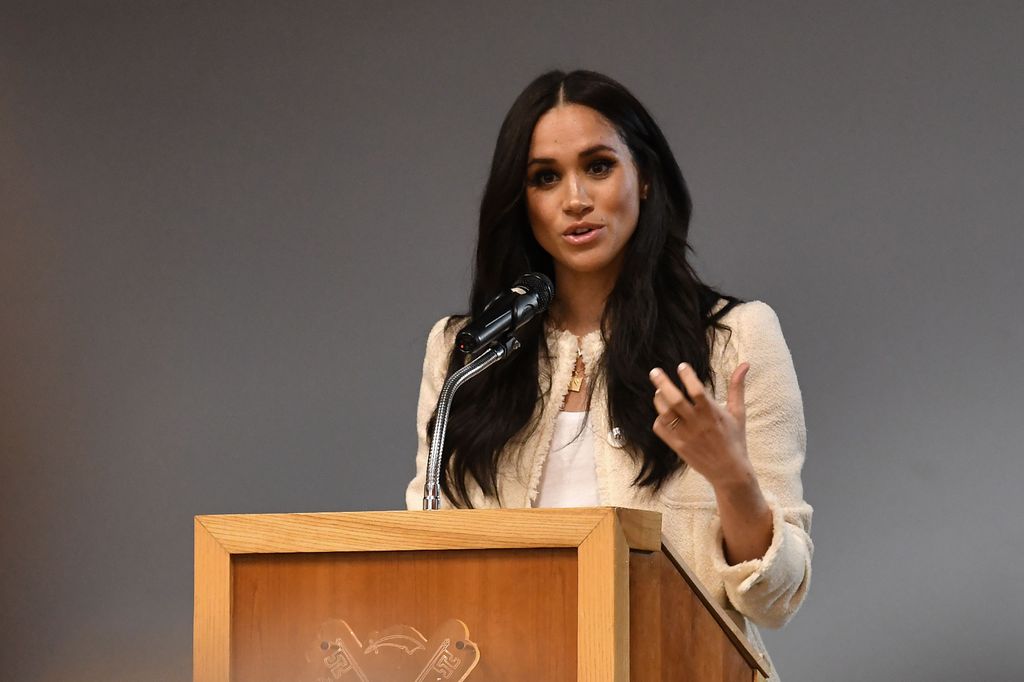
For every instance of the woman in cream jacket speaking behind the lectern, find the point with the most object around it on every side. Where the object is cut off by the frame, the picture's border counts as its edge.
(584, 188)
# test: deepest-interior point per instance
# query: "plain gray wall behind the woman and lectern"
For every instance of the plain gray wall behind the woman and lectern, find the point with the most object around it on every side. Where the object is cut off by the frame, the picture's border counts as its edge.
(224, 230)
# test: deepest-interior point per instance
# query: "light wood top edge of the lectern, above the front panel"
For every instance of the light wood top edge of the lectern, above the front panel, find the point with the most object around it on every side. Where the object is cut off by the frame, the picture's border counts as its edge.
(445, 530)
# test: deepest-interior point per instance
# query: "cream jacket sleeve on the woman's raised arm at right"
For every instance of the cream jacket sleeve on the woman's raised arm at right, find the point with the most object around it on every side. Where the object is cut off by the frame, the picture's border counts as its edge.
(770, 590)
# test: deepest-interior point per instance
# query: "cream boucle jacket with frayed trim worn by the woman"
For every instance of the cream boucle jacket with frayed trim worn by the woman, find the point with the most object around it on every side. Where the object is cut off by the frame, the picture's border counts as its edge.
(766, 591)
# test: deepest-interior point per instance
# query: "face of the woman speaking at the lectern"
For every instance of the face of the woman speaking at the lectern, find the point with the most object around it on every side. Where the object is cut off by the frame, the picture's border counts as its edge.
(583, 191)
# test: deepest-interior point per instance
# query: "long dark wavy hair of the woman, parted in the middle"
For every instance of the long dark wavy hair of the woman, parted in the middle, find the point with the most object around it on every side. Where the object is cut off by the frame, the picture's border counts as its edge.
(658, 315)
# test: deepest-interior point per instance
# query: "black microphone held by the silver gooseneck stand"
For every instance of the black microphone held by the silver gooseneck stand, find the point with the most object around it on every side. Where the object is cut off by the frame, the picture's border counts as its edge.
(508, 312)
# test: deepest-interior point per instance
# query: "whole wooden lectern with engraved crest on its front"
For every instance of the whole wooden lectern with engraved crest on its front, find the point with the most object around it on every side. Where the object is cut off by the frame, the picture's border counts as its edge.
(517, 595)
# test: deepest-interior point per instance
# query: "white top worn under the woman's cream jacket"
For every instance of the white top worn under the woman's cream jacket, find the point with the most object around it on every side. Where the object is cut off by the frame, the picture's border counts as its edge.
(570, 477)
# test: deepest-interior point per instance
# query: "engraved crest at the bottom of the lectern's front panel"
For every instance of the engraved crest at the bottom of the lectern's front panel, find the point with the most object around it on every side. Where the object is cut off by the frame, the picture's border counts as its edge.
(399, 654)
